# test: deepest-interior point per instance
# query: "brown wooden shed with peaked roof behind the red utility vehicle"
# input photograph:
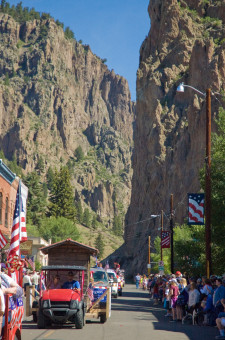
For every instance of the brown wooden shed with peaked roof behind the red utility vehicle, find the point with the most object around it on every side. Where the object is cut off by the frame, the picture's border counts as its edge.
(70, 252)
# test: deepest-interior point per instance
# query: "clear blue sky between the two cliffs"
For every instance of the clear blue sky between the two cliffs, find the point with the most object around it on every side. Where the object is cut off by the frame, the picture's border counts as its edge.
(114, 29)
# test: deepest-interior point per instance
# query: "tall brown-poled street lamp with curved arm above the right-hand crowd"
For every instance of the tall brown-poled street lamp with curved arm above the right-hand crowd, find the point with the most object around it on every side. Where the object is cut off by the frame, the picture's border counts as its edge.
(207, 95)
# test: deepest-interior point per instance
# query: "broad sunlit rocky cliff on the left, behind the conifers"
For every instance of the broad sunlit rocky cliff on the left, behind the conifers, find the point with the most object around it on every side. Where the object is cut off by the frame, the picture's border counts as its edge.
(56, 96)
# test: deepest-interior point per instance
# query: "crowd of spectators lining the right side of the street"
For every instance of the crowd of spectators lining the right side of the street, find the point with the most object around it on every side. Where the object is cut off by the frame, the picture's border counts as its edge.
(200, 300)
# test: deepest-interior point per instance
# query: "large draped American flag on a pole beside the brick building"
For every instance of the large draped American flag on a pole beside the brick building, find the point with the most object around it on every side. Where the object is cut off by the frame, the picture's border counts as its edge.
(19, 232)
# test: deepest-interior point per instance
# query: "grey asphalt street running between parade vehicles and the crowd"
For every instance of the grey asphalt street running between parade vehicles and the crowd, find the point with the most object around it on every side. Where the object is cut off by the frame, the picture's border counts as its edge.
(133, 318)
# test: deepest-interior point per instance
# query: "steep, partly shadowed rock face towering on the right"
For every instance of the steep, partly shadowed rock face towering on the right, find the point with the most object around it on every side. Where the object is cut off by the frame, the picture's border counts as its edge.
(185, 44)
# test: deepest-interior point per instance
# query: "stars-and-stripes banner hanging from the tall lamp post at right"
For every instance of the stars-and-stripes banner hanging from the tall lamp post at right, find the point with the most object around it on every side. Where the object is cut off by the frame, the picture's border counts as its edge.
(196, 209)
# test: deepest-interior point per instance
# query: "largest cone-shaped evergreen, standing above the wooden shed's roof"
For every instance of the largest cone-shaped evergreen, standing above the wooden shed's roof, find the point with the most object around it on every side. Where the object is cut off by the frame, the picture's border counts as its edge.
(61, 196)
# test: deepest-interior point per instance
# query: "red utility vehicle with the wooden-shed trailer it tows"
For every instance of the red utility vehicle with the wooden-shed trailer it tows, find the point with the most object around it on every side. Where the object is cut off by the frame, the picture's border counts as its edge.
(64, 256)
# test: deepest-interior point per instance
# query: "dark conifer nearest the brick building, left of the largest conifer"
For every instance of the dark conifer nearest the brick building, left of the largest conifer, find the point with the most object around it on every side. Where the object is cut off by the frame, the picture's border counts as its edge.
(36, 202)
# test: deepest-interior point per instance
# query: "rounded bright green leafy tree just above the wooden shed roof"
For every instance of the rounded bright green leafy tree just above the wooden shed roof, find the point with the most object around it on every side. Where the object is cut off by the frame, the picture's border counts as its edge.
(58, 229)
